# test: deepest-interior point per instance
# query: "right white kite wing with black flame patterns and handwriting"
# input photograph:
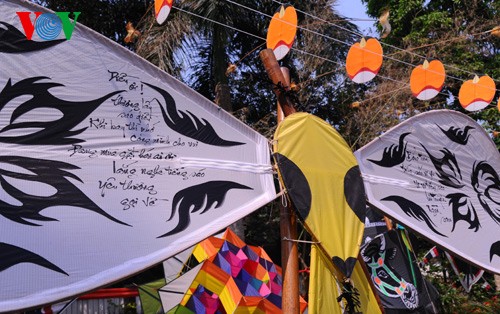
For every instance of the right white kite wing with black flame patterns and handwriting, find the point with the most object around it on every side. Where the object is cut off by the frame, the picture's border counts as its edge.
(437, 174)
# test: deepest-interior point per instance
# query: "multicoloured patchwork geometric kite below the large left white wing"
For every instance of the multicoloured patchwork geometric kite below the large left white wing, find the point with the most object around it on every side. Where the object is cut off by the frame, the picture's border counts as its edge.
(233, 277)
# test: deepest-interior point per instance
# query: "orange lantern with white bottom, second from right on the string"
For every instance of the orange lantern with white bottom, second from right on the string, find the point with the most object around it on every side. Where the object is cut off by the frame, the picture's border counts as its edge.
(427, 80)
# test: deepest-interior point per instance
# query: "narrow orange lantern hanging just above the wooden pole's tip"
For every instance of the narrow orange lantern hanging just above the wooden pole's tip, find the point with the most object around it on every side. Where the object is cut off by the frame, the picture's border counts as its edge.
(281, 32)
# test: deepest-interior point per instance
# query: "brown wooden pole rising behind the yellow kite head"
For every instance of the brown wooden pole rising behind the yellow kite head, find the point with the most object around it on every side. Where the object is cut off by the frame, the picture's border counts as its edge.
(288, 221)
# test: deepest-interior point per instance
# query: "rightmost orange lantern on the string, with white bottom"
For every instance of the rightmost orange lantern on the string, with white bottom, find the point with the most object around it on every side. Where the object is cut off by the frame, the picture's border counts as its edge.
(476, 94)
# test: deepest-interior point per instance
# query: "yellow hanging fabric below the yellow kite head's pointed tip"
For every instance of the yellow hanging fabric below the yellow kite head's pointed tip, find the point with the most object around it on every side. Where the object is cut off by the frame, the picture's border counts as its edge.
(324, 288)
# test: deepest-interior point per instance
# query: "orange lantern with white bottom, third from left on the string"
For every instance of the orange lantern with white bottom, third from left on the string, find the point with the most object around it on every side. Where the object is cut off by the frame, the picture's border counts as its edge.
(364, 60)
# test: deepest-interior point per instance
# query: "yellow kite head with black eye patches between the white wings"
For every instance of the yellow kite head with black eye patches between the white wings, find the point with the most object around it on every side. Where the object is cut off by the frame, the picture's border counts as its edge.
(322, 179)
